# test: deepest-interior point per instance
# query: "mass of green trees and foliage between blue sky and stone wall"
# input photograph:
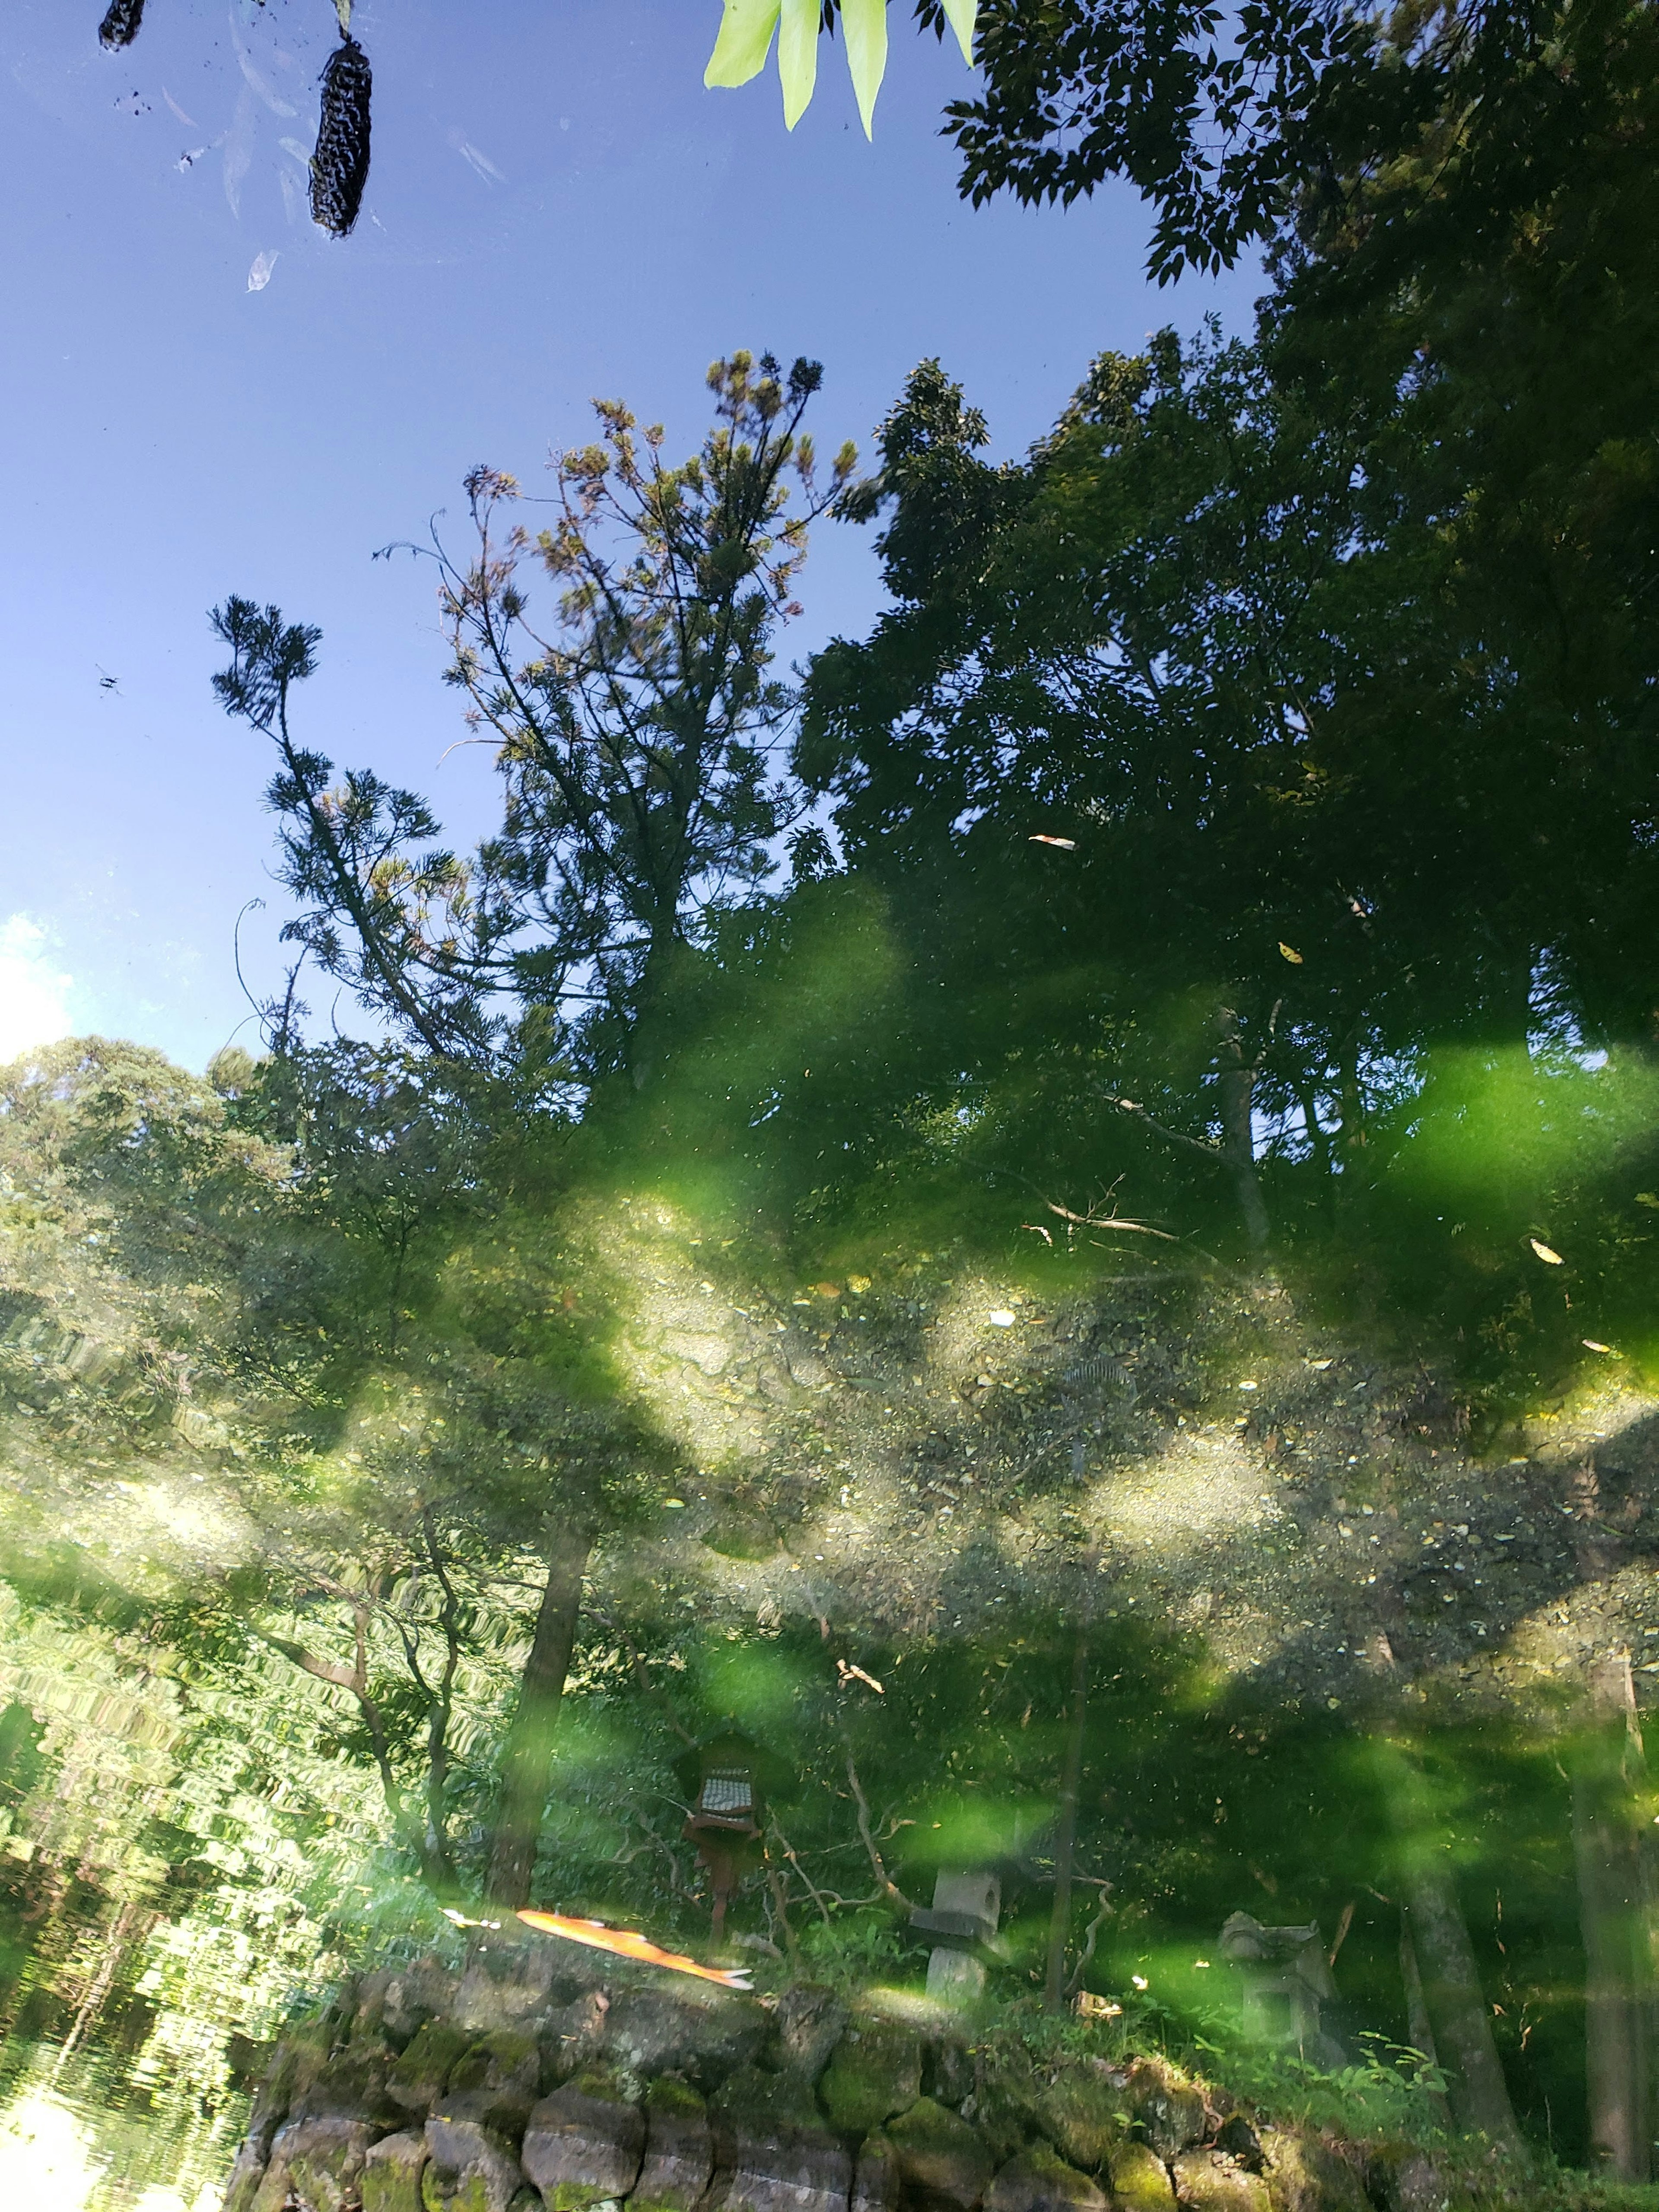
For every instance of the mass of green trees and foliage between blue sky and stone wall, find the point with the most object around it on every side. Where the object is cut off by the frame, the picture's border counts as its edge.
(837, 1156)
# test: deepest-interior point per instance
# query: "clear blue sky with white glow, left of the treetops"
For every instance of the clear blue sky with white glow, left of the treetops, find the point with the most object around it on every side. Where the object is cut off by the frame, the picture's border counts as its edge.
(556, 209)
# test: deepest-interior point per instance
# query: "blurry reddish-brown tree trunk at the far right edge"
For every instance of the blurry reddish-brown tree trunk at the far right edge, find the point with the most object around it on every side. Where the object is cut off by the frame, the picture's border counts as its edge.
(1618, 1974)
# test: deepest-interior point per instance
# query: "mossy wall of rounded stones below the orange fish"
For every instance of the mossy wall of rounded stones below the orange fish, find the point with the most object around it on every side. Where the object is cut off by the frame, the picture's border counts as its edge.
(536, 2083)
